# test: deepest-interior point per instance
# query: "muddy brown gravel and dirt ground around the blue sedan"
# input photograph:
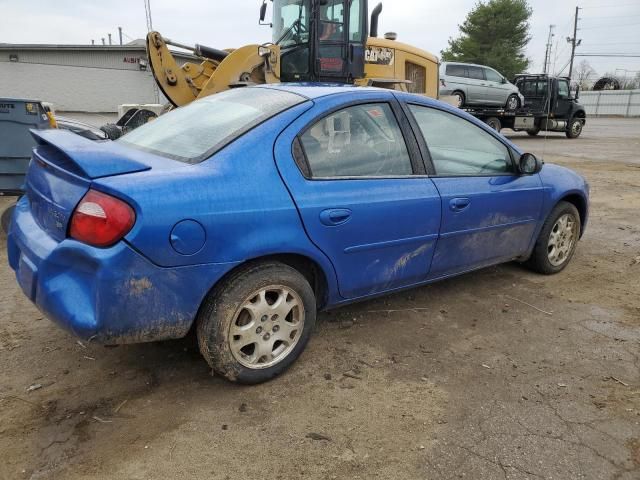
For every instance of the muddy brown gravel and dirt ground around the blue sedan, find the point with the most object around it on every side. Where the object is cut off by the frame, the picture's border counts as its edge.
(498, 374)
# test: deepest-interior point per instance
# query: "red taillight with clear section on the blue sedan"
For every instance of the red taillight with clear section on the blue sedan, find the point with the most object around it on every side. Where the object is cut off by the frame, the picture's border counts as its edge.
(101, 220)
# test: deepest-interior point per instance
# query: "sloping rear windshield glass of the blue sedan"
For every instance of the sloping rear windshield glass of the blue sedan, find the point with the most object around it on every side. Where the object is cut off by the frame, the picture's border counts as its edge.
(195, 132)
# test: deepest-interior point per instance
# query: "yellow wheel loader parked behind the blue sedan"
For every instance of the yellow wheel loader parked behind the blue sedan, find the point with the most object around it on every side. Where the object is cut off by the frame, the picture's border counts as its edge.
(313, 41)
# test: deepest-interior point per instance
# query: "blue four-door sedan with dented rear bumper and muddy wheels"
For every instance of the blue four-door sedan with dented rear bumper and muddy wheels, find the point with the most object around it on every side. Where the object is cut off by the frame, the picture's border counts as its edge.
(244, 213)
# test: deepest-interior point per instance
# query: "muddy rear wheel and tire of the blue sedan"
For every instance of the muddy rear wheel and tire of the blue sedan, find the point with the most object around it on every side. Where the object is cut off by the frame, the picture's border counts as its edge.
(255, 324)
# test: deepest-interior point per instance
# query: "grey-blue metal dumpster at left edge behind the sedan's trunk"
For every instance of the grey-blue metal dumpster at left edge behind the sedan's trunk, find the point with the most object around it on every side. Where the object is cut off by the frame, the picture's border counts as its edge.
(17, 117)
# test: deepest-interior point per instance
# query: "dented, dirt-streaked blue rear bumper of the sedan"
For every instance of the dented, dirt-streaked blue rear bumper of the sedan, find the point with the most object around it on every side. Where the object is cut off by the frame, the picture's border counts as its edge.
(112, 295)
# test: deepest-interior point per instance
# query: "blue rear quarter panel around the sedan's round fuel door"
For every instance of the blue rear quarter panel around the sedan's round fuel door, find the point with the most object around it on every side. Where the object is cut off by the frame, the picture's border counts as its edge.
(237, 196)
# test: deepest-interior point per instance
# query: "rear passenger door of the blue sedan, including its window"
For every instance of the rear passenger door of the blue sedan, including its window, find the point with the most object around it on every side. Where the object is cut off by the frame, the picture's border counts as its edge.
(355, 176)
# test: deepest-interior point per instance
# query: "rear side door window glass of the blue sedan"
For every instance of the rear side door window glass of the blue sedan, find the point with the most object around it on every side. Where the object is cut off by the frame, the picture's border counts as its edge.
(358, 141)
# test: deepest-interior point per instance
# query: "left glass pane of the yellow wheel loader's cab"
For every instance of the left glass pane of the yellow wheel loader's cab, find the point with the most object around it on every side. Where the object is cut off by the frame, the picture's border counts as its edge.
(290, 22)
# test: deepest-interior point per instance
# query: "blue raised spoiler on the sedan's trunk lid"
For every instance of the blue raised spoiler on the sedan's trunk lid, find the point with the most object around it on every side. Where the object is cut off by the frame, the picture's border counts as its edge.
(93, 159)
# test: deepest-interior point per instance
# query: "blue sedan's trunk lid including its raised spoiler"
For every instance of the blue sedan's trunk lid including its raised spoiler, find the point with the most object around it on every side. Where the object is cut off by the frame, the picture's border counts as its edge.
(61, 171)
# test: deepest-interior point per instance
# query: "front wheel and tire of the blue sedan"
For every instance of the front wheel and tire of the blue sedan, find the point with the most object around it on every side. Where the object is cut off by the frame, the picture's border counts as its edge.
(557, 241)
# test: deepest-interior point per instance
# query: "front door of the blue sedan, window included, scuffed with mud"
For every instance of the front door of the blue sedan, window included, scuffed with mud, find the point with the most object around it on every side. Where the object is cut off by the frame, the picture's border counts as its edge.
(489, 212)
